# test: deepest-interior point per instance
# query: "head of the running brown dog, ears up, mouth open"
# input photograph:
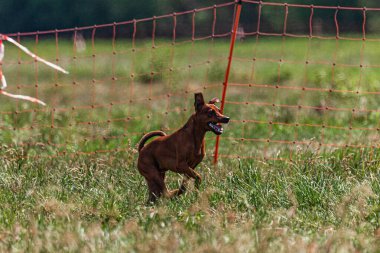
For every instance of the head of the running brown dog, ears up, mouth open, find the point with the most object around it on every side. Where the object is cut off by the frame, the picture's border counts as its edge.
(209, 115)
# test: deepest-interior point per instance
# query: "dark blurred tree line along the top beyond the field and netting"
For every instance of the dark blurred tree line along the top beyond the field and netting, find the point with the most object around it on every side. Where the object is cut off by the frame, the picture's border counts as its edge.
(34, 15)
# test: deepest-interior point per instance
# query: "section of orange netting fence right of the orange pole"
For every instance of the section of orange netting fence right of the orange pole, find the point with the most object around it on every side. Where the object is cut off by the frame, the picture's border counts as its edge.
(311, 90)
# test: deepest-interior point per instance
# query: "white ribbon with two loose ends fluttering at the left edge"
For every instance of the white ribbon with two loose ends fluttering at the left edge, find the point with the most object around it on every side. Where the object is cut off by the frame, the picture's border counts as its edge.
(2, 77)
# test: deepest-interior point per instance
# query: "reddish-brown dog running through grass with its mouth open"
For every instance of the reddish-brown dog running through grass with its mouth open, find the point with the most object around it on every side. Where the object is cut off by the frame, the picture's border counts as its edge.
(181, 151)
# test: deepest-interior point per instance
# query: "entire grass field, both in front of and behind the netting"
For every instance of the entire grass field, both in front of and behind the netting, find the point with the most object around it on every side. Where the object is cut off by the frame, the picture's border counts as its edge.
(68, 178)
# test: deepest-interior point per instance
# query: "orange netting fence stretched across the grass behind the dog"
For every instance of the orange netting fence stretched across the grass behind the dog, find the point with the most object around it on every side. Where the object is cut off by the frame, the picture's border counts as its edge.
(309, 90)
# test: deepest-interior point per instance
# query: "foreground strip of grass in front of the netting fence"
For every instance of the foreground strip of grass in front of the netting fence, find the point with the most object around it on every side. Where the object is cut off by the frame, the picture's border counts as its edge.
(97, 203)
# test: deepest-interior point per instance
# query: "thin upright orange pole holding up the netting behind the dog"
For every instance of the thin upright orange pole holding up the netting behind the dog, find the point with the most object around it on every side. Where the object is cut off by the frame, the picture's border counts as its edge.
(227, 74)
